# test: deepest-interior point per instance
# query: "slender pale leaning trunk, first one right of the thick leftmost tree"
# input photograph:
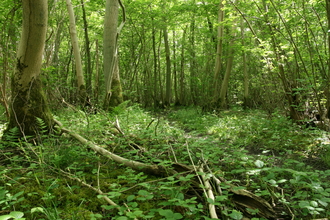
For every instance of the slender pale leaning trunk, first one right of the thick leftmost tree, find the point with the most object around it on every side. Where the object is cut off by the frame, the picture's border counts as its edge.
(76, 51)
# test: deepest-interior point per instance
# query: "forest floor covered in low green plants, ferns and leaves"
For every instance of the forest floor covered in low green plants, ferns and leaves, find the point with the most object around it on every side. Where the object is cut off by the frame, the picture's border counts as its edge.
(267, 155)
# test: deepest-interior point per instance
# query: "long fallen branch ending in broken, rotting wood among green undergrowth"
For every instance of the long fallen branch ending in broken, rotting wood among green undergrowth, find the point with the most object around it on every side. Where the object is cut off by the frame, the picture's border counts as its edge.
(242, 199)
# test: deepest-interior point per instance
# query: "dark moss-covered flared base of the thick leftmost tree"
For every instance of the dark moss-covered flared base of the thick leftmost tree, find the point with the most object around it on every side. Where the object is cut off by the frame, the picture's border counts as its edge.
(28, 104)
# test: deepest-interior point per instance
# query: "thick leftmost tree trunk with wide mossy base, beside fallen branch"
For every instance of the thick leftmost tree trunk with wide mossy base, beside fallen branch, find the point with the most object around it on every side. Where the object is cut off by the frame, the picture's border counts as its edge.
(28, 100)
